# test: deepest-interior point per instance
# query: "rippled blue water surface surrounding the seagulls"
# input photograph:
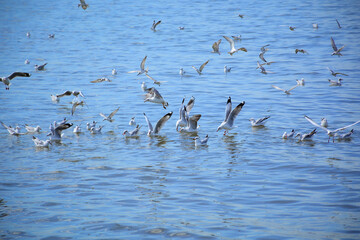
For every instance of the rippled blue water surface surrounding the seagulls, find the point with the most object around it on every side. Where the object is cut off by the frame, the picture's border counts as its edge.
(249, 184)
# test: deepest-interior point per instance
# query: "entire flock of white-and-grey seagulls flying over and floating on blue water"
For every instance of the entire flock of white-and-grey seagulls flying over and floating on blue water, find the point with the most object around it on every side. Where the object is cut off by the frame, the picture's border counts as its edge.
(185, 123)
